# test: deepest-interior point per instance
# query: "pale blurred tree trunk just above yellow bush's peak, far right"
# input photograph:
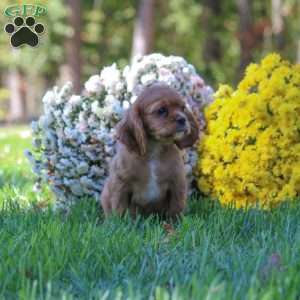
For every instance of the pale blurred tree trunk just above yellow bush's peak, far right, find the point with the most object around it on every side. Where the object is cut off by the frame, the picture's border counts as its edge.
(277, 23)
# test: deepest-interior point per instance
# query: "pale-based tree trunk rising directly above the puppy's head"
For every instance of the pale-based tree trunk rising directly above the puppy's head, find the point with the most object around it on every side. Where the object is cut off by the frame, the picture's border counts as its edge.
(144, 29)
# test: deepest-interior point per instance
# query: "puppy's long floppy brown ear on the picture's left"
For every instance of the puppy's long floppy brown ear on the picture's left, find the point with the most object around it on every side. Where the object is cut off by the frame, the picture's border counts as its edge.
(131, 132)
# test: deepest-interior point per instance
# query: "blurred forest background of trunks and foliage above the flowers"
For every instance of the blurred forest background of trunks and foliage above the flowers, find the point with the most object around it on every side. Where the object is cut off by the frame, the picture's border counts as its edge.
(219, 37)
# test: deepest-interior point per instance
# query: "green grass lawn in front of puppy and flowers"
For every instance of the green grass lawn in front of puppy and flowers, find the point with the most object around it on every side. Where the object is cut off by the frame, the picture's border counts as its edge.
(212, 253)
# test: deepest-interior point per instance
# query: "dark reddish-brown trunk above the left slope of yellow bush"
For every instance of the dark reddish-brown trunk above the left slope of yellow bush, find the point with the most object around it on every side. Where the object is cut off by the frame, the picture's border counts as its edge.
(245, 34)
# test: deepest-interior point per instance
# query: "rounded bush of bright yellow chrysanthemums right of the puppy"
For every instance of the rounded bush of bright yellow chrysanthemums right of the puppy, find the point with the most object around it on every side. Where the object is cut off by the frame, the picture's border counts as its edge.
(250, 152)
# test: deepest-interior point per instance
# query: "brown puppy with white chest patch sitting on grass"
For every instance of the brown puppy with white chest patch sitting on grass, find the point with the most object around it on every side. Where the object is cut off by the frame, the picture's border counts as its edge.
(147, 173)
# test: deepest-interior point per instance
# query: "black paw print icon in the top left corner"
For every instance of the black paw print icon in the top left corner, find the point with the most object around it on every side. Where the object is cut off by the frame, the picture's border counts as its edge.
(24, 32)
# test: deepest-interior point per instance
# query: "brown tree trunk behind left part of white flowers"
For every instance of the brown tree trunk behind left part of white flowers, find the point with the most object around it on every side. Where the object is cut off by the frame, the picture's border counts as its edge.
(73, 45)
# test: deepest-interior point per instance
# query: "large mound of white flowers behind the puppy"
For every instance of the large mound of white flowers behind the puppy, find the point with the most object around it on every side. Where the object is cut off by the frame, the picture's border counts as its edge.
(74, 139)
